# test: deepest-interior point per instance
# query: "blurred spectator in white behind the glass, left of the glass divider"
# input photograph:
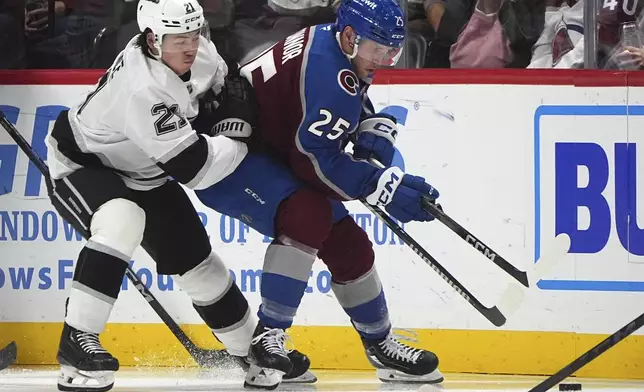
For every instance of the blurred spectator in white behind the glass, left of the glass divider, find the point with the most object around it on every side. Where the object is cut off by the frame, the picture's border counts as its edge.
(561, 44)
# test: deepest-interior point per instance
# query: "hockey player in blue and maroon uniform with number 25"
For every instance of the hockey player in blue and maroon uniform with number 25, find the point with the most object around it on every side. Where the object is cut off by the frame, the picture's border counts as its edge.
(311, 93)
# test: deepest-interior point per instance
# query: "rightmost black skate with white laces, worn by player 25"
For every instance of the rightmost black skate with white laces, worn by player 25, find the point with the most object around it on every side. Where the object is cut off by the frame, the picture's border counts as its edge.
(395, 361)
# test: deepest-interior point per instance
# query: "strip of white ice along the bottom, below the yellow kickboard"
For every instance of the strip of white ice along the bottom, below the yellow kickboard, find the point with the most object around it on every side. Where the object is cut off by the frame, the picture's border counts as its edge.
(231, 380)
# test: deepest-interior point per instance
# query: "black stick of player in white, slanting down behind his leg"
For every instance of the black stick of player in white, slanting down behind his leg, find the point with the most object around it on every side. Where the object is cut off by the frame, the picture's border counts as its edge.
(203, 357)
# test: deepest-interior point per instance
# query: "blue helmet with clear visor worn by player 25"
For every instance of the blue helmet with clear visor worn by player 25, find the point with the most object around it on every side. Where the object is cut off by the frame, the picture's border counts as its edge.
(379, 21)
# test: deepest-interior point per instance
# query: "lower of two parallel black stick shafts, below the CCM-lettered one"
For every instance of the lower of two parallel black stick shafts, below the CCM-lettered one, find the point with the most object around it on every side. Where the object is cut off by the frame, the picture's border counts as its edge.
(493, 314)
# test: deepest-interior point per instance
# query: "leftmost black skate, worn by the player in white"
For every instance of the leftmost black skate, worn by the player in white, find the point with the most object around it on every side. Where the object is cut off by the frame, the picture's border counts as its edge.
(85, 365)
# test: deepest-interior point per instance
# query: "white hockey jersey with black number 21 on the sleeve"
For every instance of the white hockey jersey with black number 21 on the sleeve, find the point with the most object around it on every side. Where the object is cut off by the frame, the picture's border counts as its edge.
(136, 122)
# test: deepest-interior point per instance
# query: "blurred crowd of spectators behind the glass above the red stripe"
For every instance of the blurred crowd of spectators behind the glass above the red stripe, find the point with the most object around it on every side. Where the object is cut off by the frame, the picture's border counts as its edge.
(37, 34)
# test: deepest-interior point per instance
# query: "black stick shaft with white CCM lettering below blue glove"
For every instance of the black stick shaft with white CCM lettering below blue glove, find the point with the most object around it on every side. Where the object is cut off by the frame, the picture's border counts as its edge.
(430, 206)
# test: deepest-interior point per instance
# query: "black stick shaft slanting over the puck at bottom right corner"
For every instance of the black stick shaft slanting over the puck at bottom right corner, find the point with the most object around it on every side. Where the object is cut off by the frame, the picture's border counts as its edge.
(590, 355)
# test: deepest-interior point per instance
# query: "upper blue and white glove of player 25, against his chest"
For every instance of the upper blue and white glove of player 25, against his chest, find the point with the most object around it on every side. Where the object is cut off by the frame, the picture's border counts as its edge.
(375, 138)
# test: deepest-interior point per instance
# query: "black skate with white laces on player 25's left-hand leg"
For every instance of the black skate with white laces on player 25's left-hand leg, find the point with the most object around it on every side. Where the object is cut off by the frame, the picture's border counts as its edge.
(268, 358)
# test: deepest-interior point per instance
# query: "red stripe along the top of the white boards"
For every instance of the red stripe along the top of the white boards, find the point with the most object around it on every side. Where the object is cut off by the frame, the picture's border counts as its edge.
(557, 77)
